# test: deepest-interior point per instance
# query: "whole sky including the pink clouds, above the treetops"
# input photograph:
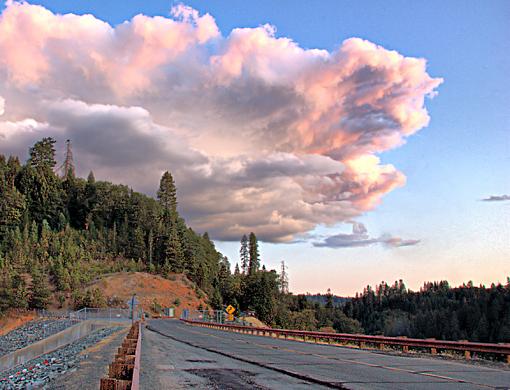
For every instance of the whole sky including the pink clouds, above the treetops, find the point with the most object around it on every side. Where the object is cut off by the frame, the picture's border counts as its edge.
(361, 141)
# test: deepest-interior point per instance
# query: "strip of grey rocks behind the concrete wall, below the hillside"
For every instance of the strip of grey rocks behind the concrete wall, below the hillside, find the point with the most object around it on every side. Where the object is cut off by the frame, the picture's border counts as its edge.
(30, 333)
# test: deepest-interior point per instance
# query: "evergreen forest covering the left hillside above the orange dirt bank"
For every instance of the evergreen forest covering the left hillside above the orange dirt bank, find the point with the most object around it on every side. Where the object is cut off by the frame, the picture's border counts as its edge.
(57, 233)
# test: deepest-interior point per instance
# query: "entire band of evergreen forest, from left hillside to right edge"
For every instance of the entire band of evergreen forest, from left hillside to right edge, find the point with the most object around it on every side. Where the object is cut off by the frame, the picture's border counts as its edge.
(58, 233)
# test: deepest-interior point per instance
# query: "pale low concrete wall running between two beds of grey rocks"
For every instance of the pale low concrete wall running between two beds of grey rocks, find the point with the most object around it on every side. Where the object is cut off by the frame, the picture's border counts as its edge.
(52, 343)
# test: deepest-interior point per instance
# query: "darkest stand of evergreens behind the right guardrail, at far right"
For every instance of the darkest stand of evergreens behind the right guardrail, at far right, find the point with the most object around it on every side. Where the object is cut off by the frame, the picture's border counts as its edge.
(436, 311)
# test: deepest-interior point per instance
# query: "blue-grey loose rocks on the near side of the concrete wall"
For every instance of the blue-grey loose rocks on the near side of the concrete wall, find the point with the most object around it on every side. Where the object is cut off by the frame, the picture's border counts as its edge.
(39, 373)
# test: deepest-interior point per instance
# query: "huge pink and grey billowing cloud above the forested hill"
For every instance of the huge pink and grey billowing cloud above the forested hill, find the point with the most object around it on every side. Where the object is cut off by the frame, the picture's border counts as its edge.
(260, 133)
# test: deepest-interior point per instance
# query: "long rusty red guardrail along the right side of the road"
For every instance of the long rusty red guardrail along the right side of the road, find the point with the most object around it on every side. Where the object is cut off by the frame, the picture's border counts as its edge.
(364, 341)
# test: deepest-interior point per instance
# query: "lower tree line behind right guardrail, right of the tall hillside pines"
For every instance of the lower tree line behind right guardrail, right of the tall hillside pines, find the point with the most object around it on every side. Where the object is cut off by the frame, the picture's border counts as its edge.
(437, 310)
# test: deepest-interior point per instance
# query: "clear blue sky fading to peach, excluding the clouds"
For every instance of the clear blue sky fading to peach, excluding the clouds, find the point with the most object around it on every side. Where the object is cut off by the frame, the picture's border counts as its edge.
(460, 158)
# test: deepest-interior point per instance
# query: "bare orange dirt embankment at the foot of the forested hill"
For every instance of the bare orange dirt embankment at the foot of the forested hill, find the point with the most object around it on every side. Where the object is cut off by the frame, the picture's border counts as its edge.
(152, 291)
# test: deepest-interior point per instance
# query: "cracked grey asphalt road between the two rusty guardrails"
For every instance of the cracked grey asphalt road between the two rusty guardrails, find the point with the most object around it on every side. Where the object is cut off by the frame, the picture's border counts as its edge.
(176, 355)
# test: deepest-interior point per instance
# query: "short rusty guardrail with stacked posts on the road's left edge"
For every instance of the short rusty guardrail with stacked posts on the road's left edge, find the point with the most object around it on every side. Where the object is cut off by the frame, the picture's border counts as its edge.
(124, 372)
